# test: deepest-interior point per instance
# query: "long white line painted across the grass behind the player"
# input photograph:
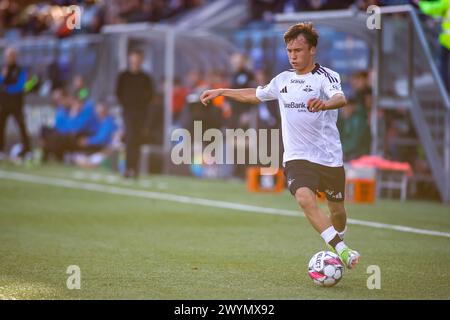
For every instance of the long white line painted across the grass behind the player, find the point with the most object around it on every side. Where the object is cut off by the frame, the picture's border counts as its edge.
(198, 201)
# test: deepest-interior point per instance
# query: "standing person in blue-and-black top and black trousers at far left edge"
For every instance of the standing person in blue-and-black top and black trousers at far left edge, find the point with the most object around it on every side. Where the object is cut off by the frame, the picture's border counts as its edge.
(12, 82)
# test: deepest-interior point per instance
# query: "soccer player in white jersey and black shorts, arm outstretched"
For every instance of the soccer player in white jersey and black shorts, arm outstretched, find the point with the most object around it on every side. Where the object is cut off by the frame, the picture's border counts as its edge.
(309, 96)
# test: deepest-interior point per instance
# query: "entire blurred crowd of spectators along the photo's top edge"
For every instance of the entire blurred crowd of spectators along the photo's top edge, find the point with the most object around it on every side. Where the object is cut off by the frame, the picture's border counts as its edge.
(50, 17)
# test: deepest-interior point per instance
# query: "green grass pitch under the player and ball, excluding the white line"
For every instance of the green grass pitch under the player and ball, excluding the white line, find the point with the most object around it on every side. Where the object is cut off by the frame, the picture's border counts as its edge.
(135, 248)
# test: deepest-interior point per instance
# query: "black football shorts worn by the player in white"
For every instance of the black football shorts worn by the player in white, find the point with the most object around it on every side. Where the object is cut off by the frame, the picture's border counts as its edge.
(303, 173)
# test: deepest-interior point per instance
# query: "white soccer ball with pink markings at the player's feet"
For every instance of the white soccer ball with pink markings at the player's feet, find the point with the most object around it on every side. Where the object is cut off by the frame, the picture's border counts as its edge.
(325, 268)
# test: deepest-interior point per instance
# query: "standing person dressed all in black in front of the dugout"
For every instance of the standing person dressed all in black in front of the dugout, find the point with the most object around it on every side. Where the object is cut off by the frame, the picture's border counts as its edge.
(134, 91)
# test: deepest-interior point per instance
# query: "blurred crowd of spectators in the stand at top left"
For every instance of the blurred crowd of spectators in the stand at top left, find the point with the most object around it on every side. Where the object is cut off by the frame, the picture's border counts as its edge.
(50, 17)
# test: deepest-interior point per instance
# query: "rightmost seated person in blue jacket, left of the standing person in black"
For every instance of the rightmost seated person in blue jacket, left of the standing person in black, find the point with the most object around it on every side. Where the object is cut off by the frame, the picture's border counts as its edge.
(103, 136)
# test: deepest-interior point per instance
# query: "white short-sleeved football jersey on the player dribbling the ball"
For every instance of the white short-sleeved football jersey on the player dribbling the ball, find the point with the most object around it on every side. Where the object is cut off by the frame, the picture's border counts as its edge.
(306, 135)
